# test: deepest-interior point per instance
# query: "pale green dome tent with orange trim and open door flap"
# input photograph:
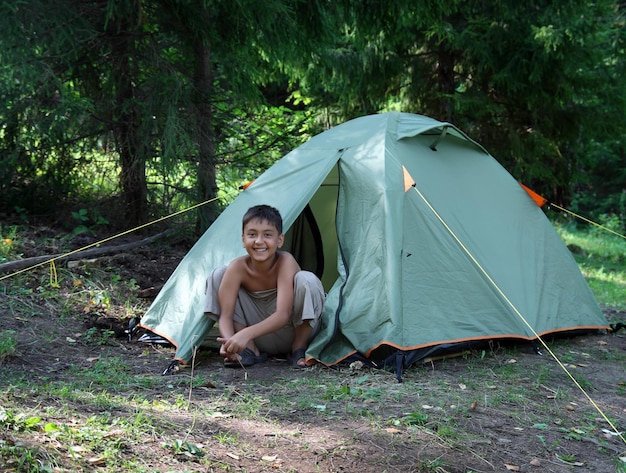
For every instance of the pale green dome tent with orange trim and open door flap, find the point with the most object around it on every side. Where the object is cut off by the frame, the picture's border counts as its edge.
(422, 239)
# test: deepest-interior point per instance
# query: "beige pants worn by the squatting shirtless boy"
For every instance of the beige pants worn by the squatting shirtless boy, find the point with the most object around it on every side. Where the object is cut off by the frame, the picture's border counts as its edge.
(253, 307)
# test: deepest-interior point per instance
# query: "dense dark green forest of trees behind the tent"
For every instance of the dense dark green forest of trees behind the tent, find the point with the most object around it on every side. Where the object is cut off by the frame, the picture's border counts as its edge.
(114, 113)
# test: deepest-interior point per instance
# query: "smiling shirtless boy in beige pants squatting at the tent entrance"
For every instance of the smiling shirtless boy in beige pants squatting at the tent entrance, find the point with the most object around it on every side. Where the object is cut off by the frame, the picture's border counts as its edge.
(264, 303)
